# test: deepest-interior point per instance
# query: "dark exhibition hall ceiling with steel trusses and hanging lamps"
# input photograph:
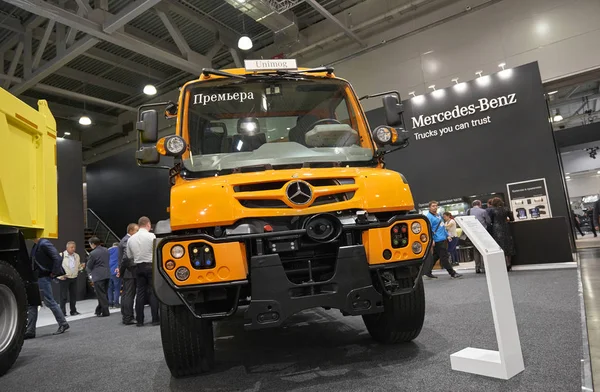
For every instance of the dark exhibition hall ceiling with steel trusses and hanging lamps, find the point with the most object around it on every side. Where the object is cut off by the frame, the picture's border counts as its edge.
(101, 58)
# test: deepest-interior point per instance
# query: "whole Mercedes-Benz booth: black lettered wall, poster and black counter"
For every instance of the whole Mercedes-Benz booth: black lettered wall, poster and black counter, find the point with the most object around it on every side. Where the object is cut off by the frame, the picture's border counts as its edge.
(489, 137)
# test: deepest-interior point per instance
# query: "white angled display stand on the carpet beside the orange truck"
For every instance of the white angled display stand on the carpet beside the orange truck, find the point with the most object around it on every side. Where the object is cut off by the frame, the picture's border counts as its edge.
(508, 360)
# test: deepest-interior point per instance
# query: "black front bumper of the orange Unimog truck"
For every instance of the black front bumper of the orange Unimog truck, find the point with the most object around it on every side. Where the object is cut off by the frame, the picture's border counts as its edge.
(355, 287)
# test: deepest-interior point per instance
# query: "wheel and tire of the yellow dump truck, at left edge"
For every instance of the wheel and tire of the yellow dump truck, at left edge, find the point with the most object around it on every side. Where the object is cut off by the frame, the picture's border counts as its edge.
(13, 315)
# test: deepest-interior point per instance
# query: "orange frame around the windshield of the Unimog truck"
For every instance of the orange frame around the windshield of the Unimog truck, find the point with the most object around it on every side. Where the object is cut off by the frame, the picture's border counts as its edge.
(358, 118)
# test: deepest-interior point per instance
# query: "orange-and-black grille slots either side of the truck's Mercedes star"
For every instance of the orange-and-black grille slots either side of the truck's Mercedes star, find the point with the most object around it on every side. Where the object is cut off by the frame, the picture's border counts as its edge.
(247, 196)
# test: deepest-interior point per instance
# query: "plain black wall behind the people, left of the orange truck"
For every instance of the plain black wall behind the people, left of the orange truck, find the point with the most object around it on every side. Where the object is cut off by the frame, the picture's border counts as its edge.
(120, 192)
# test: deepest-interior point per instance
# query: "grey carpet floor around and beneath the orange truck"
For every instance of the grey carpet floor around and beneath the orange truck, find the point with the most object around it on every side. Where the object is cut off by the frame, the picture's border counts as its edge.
(323, 351)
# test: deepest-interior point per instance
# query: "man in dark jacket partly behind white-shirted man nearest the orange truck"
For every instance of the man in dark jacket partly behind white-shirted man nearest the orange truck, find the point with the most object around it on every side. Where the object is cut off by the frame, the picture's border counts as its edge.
(127, 274)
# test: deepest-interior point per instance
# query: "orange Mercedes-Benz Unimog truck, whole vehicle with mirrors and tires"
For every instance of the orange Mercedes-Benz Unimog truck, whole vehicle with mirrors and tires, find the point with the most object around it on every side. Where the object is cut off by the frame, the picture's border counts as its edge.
(280, 202)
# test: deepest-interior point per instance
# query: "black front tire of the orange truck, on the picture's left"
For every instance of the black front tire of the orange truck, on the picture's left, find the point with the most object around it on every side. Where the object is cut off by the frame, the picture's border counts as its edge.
(187, 341)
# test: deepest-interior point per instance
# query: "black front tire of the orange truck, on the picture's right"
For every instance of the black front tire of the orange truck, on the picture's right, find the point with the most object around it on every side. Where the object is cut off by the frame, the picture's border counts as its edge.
(402, 319)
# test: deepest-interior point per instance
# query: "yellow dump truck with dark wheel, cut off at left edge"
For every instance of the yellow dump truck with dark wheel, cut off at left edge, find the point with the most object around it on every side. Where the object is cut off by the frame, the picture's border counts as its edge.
(28, 209)
